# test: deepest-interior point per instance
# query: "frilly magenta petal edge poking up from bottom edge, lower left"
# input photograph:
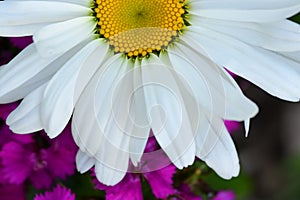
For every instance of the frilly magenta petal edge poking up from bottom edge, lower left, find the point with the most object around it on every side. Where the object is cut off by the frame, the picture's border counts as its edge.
(58, 193)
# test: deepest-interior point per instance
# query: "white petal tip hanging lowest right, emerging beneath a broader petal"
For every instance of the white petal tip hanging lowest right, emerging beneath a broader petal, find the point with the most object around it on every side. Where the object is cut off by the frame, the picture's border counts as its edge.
(215, 147)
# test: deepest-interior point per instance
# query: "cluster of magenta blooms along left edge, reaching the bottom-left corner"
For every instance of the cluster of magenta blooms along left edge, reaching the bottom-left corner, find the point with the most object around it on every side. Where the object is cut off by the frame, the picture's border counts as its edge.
(32, 159)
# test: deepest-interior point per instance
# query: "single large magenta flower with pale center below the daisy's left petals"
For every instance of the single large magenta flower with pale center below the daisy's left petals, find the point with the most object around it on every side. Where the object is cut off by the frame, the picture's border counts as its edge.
(39, 161)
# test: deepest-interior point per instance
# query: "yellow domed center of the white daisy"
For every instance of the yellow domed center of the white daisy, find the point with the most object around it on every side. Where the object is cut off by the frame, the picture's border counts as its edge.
(139, 27)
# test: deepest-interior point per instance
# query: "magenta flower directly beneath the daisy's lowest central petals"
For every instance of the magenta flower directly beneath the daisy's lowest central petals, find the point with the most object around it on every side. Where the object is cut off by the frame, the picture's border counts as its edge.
(130, 187)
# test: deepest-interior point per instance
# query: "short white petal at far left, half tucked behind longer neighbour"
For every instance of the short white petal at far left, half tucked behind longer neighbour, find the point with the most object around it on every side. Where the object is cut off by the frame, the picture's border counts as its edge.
(26, 117)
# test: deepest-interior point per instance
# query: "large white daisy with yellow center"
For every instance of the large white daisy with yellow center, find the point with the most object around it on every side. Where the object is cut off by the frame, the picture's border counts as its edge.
(123, 67)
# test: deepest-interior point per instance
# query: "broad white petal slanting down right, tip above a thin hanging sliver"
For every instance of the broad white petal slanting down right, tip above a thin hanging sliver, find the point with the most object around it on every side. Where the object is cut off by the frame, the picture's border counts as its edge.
(214, 89)
